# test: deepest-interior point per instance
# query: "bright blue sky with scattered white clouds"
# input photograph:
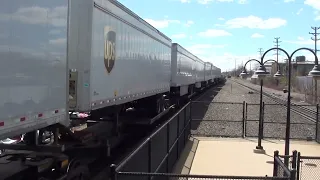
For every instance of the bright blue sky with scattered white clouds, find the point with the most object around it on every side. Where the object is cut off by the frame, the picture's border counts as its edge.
(230, 32)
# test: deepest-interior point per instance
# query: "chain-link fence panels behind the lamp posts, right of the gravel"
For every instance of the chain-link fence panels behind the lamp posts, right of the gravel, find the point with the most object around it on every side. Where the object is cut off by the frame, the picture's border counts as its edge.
(303, 121)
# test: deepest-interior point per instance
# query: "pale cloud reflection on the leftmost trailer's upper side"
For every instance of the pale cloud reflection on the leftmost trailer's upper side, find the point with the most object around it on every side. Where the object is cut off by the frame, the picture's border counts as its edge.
(38, 15)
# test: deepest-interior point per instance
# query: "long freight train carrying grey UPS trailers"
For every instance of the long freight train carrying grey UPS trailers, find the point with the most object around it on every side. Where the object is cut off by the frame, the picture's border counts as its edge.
(91, 58)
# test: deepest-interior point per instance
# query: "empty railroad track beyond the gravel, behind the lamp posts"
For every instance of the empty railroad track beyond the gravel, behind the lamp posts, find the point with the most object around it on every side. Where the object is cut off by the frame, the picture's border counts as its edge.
(303, 111)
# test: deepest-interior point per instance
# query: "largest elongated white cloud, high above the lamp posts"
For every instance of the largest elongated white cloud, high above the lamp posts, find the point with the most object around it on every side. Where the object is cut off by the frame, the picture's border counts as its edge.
(254, 22)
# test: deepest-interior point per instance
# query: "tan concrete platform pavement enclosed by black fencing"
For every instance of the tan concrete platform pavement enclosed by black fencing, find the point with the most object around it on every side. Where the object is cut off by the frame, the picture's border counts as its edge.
(236, 157)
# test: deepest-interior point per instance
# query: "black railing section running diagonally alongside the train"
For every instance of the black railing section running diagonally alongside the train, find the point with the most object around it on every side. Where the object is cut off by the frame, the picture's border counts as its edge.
(159, 152)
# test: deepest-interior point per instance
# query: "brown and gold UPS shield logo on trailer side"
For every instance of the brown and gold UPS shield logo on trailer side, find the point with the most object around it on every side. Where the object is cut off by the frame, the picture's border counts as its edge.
(109, 48)
